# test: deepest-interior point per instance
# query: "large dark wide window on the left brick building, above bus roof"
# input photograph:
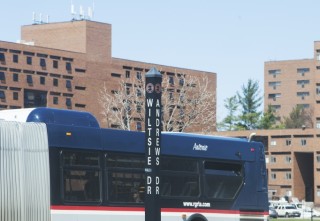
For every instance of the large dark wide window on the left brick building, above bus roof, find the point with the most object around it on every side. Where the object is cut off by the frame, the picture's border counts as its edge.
(33, 98)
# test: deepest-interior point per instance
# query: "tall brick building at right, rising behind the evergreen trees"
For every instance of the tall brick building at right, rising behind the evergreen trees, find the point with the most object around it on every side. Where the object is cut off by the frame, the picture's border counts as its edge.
(292, 82)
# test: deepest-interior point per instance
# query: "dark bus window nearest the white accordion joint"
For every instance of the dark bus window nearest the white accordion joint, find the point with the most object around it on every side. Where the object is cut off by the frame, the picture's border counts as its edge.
(81, 177)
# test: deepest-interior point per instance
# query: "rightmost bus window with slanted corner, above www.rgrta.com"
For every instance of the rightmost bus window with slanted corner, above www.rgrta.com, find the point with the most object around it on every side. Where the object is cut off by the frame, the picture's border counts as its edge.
(222, 180)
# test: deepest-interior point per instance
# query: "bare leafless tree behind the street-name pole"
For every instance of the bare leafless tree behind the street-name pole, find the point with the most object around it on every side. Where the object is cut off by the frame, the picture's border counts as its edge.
(188, 104)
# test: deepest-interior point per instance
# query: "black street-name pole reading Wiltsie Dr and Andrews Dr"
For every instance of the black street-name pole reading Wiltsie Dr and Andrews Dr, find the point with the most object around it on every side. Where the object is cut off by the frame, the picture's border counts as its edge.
(152, 145)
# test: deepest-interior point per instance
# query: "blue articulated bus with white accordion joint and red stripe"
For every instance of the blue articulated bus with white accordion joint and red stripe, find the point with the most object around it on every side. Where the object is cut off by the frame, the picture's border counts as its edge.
(70, 169)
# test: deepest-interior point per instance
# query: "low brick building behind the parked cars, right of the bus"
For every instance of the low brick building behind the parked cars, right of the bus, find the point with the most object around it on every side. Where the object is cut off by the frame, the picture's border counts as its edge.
(293, 161)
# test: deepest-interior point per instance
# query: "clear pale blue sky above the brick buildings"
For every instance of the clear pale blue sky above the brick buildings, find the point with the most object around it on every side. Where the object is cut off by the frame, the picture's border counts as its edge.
(232, 38)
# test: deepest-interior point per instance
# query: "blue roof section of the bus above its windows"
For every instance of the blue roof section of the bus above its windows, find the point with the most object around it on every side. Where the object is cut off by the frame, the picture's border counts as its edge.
(80, 130)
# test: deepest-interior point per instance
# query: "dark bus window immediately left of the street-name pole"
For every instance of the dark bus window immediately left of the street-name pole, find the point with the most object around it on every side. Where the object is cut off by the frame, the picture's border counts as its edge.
(126, 178)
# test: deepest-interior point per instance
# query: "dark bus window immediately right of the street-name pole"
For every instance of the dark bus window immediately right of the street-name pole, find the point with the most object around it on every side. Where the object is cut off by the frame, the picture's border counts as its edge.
(179, 177)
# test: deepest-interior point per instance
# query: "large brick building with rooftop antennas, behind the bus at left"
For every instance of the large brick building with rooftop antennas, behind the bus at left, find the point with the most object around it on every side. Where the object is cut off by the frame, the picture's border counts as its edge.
(63, 65)
